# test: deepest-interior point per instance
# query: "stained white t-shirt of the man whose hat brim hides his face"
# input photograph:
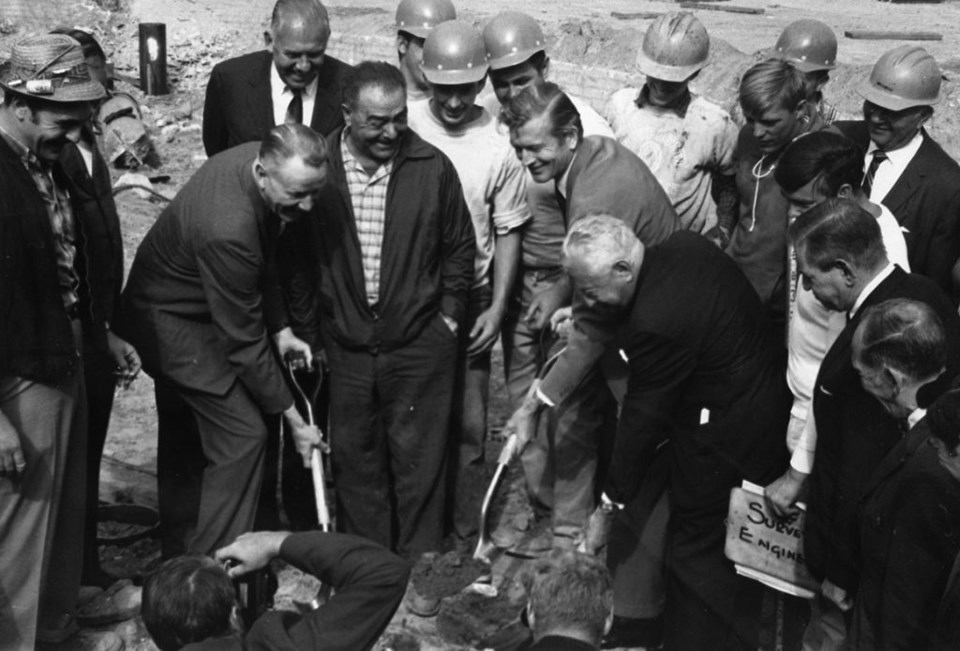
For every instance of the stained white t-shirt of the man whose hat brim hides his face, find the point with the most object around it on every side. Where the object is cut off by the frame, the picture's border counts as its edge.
(681, 151)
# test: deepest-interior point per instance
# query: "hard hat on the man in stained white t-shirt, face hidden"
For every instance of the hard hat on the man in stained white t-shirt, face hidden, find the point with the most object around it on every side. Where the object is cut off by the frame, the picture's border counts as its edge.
(675, 46)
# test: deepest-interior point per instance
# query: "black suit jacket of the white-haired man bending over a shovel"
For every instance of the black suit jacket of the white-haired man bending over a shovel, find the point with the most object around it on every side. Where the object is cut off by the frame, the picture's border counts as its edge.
(696, 338)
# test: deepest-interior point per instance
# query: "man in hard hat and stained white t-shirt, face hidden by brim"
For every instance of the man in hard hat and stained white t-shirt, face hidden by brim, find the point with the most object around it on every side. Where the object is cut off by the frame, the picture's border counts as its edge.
(687, 141)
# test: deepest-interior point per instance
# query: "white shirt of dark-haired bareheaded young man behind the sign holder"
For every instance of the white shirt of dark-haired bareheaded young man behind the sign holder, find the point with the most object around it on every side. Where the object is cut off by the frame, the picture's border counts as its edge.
(812, 330)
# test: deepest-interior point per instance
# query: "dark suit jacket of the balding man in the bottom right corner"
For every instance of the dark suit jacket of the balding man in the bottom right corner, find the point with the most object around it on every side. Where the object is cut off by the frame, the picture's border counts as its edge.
(909, 536)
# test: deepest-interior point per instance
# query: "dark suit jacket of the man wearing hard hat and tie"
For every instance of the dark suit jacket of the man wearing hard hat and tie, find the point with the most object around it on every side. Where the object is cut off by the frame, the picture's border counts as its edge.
(926, 202)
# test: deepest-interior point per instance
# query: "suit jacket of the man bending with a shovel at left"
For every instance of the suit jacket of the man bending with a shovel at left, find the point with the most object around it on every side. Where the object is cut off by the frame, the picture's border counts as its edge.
(194, 303)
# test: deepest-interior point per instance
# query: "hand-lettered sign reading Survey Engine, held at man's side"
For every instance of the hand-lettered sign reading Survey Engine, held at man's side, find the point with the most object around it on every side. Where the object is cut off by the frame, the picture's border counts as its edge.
(767, 548)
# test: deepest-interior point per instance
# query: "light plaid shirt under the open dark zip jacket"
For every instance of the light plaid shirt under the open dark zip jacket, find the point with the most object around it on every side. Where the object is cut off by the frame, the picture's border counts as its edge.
(368, 194)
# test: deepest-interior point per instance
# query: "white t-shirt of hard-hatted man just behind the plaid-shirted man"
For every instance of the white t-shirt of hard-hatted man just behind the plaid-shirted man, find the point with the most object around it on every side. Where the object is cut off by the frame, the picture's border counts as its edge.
(493, 180)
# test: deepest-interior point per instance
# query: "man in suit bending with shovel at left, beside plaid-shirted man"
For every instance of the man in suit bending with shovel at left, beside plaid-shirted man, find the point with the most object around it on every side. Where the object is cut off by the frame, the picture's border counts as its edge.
(195, 302)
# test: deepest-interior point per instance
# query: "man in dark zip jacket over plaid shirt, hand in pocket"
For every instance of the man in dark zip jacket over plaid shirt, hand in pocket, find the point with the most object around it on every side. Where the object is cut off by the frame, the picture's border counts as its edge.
(392, 256)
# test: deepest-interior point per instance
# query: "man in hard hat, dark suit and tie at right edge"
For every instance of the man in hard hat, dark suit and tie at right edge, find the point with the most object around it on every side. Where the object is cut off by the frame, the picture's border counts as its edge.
(904, 168)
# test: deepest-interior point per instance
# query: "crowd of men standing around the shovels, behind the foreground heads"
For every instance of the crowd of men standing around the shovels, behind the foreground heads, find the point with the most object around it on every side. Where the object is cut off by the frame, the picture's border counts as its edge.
(683, 304)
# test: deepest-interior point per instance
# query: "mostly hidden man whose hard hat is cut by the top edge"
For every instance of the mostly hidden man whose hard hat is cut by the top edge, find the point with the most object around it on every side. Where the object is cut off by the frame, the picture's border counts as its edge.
(415, 20)
